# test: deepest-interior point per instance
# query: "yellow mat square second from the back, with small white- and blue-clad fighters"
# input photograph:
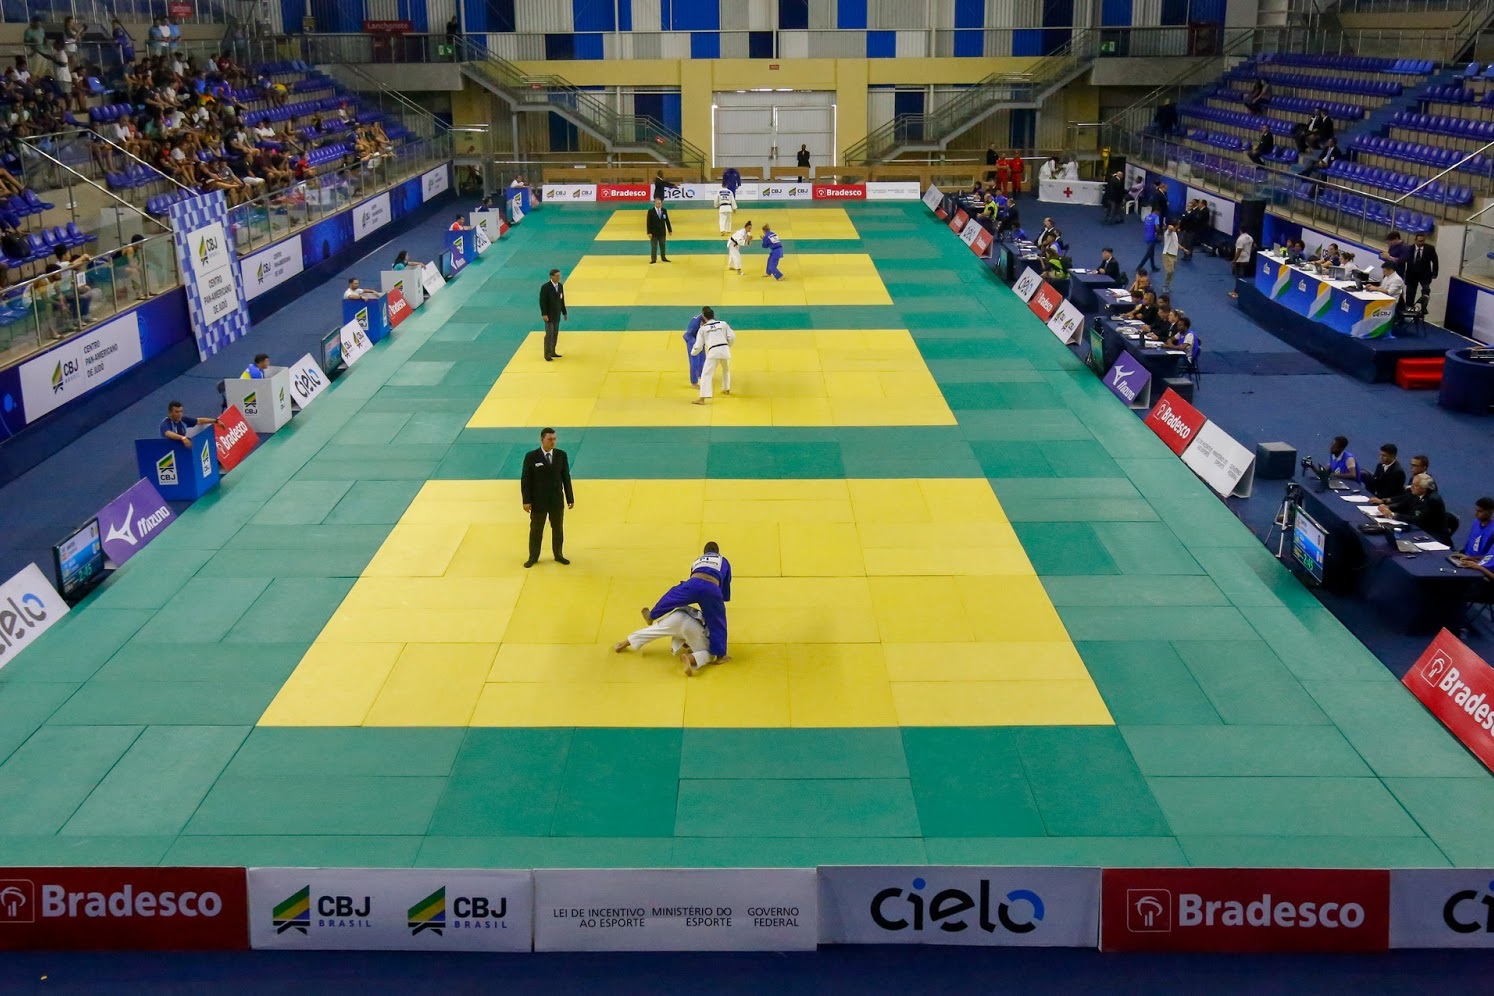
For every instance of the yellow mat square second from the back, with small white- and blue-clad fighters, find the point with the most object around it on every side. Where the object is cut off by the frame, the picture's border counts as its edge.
(818, 278)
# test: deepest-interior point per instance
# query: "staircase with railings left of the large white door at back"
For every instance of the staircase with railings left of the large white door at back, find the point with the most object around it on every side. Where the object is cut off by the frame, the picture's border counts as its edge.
(639, 135)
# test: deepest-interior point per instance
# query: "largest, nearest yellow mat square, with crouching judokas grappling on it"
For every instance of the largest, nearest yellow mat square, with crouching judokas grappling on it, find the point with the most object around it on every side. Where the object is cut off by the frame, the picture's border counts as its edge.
(855, 604)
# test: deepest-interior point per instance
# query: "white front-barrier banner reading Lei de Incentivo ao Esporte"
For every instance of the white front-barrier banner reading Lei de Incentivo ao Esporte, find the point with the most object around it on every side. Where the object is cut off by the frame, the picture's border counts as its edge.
(676, 910)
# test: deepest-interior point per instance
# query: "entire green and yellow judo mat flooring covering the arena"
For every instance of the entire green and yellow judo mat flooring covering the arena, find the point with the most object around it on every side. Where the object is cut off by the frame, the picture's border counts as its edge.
(1029, 635)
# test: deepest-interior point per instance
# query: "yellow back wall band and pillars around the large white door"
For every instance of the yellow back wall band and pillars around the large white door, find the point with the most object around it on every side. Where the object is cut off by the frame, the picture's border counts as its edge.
(700, 80)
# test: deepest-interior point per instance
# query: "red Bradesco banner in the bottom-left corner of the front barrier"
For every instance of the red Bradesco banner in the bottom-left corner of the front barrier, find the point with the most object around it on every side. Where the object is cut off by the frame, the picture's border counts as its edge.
(123, 909)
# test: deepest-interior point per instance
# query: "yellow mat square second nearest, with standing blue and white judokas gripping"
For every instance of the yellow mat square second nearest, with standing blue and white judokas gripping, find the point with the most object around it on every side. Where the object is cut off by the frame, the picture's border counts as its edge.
(779, 379)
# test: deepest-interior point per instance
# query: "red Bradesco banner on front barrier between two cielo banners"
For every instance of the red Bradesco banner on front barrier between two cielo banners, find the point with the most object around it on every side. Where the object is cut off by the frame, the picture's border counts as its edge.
(1244, 910)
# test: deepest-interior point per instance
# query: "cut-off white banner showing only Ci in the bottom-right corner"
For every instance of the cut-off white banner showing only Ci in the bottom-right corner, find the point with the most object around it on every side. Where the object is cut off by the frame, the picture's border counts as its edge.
(1442, 909)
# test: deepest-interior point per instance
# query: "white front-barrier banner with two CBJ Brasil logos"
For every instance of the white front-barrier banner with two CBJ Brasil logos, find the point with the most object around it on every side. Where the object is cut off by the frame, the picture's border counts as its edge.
(391, 910)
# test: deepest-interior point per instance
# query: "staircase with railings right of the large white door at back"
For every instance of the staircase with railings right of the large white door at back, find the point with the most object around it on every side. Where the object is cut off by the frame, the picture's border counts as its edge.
(1000, 92)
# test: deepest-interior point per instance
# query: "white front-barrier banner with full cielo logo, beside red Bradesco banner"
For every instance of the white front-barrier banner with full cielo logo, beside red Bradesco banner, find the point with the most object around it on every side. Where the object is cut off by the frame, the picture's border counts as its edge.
(999, 907)
